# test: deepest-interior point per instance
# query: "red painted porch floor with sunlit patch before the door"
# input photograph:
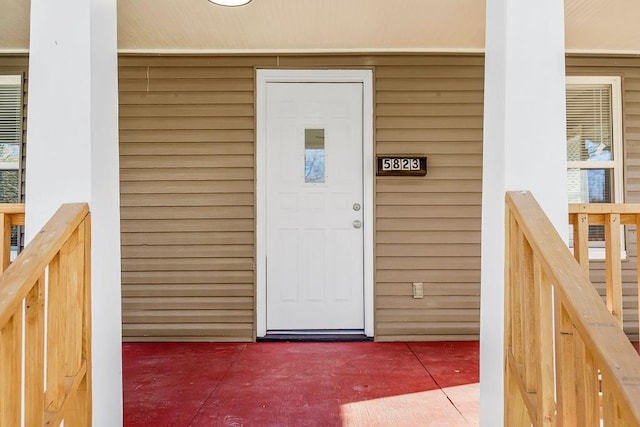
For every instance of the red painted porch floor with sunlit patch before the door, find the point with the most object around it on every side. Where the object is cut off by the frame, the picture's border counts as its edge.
(301, 384)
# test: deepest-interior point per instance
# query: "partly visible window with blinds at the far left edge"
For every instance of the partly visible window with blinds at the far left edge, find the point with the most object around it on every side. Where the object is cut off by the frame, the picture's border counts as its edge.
(10, 141)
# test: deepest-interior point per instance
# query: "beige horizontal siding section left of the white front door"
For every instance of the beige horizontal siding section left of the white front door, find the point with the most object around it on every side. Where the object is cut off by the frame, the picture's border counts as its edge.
(187, 199)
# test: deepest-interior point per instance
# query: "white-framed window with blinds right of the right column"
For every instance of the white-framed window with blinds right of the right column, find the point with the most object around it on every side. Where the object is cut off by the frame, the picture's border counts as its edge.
(594, 143)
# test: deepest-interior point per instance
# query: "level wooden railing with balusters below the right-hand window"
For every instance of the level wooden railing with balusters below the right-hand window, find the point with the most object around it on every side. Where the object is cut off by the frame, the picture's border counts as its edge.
(613, 217)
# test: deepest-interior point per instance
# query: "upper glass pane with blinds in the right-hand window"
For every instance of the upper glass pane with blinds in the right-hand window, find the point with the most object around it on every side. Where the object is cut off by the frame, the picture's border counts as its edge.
(589, 122)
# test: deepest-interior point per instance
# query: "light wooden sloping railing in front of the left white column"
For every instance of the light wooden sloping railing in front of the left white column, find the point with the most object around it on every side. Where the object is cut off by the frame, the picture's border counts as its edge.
(55, 266)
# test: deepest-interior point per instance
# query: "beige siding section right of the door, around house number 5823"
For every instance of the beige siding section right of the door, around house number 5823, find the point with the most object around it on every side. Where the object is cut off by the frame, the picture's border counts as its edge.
(428, 228)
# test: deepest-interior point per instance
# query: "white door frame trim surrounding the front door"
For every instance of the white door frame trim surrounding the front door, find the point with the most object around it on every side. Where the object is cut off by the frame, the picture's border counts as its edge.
(263, 77)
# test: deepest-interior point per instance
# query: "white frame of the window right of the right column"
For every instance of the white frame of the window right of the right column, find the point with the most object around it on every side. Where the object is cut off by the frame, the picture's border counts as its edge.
(617, 164)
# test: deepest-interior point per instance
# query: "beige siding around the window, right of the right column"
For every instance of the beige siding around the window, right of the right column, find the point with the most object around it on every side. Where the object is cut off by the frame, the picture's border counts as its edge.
(629, 69)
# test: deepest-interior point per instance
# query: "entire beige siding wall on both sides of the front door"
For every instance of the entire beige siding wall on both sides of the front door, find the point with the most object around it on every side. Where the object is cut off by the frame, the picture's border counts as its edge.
(187, 193)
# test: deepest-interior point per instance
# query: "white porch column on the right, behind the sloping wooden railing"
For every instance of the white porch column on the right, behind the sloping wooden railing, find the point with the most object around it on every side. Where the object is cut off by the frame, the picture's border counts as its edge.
(524, 149)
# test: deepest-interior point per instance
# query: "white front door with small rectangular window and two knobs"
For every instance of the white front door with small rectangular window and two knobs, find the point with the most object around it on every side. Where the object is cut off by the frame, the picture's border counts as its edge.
(314, 207)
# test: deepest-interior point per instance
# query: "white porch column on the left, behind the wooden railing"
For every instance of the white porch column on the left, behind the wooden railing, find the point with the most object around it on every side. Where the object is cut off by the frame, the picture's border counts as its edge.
(72, 156)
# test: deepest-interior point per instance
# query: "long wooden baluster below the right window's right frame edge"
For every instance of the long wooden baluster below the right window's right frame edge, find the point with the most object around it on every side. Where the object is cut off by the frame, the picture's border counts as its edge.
(613, 265)
